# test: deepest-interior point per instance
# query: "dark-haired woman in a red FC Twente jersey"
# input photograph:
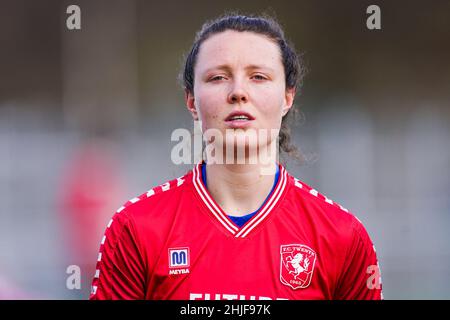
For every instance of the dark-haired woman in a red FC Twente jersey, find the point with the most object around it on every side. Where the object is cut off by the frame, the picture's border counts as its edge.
(237, 226)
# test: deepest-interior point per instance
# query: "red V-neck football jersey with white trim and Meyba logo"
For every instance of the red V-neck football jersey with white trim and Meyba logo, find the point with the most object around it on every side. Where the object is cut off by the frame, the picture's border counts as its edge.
(175, 242)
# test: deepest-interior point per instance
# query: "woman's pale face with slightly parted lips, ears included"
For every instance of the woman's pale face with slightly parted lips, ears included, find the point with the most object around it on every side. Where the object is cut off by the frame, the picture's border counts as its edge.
(239, 83)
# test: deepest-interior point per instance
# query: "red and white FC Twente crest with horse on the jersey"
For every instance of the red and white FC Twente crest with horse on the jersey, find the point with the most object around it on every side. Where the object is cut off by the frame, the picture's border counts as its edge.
(297, 265)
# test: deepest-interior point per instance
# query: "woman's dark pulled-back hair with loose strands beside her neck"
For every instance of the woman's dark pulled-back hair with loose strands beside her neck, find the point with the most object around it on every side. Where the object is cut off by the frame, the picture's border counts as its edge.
(269, 27)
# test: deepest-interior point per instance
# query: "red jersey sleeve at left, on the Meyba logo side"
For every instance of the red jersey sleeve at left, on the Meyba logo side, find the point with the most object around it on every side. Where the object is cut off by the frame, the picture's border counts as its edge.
(120, 271)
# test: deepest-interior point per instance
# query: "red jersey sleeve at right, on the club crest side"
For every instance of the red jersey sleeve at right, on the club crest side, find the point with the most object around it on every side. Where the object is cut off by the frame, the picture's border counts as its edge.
(360, 278)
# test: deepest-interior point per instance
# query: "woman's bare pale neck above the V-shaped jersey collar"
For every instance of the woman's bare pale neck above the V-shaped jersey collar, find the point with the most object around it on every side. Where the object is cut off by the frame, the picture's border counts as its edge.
(240, 189)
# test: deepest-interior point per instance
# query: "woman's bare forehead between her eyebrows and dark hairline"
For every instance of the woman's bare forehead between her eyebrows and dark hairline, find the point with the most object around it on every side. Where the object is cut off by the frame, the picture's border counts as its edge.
(232, 47)
